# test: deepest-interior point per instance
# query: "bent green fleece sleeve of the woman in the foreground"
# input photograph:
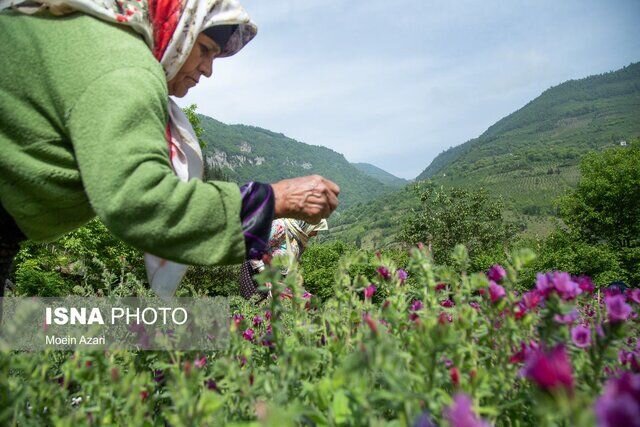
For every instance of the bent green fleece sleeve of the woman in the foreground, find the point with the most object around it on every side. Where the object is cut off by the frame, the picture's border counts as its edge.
(117, 129)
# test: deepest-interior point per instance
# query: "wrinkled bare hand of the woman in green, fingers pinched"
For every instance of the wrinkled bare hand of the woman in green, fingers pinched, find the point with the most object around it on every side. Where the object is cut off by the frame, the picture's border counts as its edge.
(309, 198)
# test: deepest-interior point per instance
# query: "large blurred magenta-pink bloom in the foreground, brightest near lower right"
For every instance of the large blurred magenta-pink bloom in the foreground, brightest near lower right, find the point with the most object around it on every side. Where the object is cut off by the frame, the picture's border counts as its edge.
(550, 370)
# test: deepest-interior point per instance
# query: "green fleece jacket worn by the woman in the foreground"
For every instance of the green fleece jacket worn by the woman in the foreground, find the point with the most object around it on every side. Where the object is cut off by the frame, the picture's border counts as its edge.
(83, 112)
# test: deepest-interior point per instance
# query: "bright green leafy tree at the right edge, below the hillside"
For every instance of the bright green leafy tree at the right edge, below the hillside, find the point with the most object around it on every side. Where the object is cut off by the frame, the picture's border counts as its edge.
(606, 204)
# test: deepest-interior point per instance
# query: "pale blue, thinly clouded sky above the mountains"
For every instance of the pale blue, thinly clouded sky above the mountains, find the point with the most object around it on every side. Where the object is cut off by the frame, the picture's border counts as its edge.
(394, 83)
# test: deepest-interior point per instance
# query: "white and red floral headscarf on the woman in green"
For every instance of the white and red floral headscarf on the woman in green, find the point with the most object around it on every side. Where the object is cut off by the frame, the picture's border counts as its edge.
(170, 29)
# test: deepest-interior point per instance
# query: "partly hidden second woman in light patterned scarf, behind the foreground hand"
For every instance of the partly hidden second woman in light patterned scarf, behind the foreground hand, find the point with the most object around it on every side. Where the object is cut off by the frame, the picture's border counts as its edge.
(288, 238)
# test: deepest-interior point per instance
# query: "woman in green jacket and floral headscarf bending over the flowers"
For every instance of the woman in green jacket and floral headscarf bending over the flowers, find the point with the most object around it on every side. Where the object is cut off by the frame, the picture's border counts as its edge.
(87, 128)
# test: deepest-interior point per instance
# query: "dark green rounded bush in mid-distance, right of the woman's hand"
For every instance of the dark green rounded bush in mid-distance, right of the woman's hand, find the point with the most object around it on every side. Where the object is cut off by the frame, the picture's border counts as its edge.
(451, 217)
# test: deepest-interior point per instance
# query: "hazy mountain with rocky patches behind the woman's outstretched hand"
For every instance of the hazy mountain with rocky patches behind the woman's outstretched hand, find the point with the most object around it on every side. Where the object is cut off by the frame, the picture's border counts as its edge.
(245, 153)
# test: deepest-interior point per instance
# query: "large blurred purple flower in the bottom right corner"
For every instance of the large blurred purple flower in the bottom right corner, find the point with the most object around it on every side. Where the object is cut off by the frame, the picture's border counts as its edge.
(619, 405)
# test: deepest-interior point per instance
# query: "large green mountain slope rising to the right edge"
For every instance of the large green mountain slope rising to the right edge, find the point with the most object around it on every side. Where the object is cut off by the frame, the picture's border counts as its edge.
(530, 157)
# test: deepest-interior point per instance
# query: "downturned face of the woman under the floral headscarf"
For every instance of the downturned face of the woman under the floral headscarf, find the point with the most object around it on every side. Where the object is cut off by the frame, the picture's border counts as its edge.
(198, 64)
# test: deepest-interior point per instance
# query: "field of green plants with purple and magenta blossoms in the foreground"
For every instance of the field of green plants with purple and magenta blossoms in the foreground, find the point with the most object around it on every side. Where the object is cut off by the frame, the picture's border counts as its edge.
(425, 345)
